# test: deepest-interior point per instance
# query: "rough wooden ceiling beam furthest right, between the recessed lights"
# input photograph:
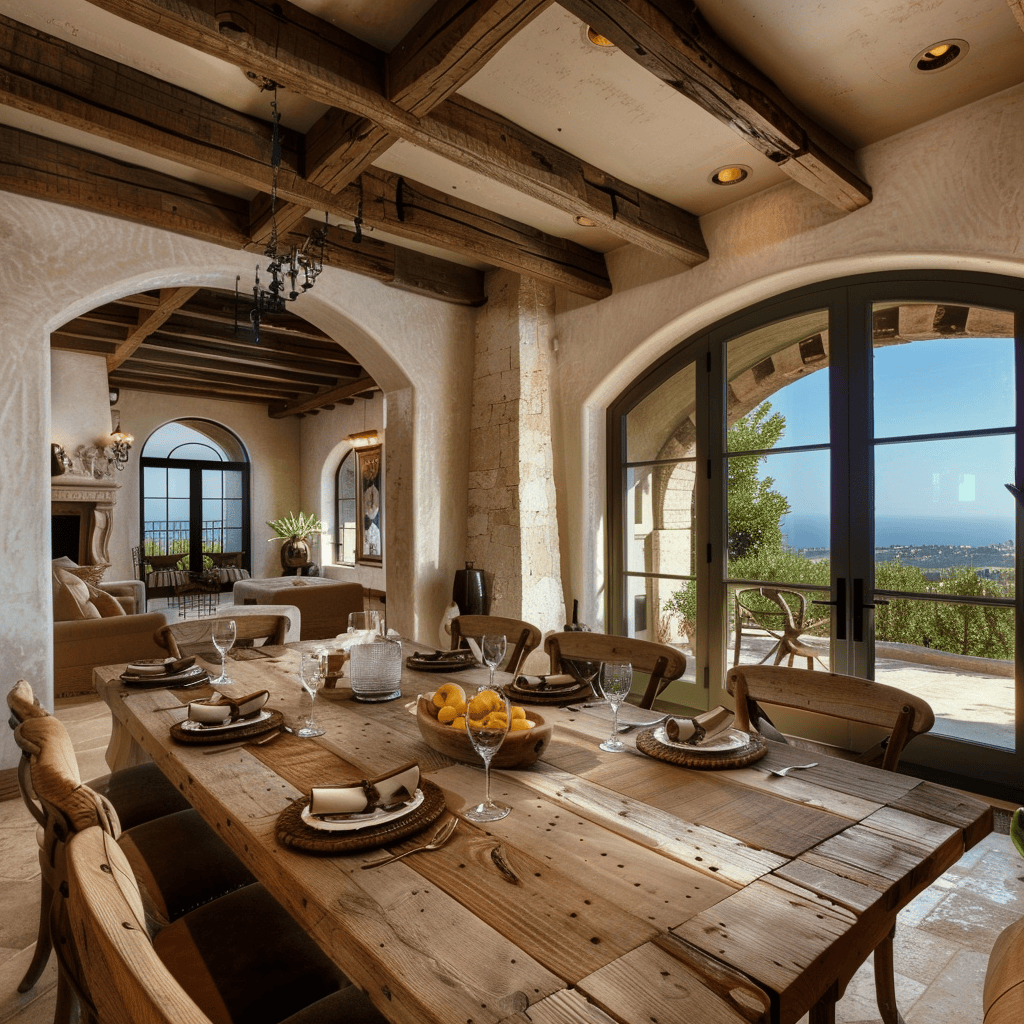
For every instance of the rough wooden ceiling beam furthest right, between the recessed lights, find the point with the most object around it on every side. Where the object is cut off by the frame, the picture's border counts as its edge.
(673, 41)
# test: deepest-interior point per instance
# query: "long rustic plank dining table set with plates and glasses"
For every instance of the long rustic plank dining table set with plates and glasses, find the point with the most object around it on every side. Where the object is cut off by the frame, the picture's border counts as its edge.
(621, 888)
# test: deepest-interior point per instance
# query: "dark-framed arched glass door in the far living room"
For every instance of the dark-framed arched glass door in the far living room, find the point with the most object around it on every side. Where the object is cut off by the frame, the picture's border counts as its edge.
(195, 494)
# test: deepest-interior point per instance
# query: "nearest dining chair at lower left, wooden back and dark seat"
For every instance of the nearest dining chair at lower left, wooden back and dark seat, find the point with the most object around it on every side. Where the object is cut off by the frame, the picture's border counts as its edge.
(243, 960)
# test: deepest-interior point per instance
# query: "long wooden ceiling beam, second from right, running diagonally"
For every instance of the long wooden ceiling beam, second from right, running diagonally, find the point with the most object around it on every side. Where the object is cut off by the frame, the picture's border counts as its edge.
(290, 51)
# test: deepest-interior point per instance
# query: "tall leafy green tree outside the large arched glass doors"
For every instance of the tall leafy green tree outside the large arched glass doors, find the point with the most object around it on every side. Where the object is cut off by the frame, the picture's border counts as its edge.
(755, 509)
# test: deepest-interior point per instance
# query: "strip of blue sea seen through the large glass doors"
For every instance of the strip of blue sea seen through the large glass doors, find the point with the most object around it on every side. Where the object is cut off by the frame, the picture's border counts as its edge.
(804, 531)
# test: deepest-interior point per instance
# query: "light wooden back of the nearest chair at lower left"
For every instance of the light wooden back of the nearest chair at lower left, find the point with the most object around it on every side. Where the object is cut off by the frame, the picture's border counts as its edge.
(108, 953)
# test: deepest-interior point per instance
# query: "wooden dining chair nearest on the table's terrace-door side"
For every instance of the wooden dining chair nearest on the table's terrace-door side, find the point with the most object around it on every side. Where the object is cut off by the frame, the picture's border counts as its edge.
(863, 701)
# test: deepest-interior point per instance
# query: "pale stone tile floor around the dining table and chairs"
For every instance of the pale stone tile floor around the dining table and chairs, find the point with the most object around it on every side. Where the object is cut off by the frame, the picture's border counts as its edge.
(943, 942)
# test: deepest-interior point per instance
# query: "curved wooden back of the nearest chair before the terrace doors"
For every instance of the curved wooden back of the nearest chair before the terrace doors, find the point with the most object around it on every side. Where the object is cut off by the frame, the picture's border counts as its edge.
(905, 715)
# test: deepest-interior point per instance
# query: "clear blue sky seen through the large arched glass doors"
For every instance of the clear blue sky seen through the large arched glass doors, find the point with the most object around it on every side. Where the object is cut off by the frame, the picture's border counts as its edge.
(922, 388)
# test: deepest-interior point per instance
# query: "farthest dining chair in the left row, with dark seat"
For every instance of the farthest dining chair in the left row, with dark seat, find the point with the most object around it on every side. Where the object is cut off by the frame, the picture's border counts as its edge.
(139, 794)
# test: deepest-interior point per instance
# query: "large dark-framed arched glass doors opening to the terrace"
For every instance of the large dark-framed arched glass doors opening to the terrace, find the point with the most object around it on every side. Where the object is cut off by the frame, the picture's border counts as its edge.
(854, 441)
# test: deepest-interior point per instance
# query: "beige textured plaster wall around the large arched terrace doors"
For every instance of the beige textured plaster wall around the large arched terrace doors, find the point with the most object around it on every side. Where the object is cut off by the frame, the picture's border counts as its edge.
(948, 196)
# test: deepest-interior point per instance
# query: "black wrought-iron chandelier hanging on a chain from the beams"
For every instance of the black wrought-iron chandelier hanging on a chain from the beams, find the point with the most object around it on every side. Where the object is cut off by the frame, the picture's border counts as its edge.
(293, 272)
